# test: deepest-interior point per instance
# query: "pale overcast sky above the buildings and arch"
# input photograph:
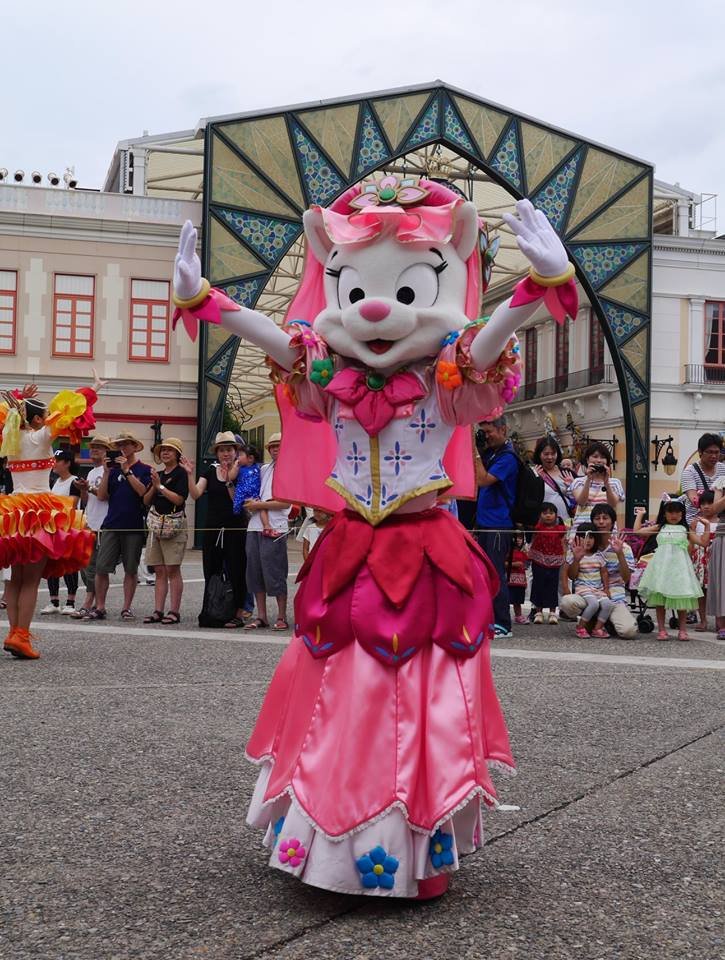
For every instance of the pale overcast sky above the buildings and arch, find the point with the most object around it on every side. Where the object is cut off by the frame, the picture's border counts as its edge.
(641, 77)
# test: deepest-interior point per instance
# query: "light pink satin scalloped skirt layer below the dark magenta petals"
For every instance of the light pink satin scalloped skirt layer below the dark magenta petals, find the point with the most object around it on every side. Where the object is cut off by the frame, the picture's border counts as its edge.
(351, 738)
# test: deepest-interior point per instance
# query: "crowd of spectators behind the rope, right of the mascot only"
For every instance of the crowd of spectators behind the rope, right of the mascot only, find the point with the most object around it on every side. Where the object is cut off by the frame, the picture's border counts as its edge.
(578, 551)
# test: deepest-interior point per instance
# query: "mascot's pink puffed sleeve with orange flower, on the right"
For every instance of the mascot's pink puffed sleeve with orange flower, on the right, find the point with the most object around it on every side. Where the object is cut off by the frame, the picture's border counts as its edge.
(467, 395)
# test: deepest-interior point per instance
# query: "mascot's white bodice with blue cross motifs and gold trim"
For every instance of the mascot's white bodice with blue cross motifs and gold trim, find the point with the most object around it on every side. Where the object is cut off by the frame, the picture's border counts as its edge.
(377, 475)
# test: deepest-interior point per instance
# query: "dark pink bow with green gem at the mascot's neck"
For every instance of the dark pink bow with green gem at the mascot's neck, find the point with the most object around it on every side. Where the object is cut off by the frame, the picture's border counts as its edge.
(374, 409)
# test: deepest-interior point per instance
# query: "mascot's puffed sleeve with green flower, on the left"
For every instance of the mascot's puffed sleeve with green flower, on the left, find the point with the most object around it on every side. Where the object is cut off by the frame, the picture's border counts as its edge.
(305, 383)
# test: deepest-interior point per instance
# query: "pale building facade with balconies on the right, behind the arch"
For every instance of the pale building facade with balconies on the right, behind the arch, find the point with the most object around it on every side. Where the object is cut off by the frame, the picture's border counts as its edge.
(570, 378)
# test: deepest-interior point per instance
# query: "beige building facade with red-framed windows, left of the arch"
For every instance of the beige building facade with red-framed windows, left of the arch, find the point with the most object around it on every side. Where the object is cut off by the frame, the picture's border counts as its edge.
(85, 282)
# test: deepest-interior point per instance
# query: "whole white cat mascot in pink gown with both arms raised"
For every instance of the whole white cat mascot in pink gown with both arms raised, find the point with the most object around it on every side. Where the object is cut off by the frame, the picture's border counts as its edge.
(381, 723)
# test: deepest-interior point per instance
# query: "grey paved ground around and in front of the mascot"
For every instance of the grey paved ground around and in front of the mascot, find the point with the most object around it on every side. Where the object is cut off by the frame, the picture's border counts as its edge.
(123, 790)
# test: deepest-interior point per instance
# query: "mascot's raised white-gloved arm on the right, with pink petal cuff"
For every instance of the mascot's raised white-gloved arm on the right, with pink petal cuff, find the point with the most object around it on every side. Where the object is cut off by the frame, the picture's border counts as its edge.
(551, 269)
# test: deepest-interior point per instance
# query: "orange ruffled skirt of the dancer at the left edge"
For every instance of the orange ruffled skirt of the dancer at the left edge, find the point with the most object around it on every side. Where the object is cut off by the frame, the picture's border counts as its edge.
(38, 525)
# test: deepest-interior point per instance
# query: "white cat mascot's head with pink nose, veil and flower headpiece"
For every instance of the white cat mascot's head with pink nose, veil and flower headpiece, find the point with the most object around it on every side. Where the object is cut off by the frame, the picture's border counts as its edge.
(392, 267)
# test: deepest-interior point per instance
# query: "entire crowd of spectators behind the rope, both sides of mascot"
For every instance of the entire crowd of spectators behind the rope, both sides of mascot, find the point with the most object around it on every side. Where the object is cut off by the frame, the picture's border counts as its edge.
(575, 553)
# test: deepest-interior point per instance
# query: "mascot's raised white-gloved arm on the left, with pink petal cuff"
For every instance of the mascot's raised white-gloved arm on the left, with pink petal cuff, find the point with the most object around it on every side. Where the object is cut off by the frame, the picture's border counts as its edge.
(191, 291)
